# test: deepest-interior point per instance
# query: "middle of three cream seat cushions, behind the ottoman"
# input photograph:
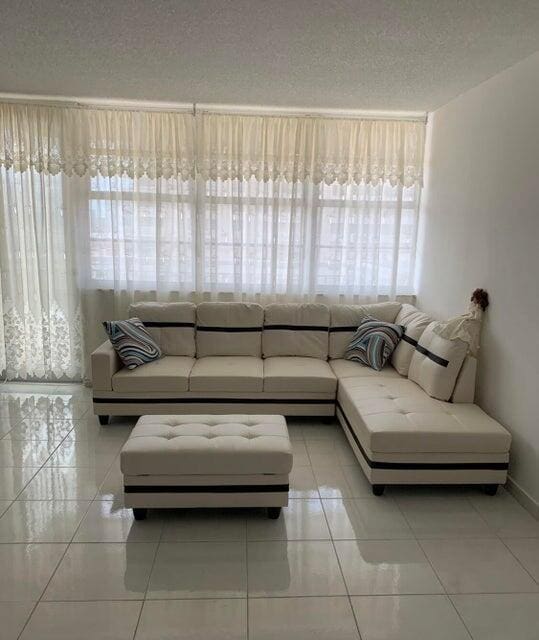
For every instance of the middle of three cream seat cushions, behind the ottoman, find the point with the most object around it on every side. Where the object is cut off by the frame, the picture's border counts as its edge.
(227, 373)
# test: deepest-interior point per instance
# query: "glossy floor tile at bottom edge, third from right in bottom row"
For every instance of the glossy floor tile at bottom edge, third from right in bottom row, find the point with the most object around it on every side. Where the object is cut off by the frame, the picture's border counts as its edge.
(302, 619)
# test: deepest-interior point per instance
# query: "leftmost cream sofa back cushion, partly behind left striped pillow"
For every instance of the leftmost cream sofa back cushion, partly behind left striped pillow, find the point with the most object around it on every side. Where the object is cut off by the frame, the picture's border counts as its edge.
(171, 325)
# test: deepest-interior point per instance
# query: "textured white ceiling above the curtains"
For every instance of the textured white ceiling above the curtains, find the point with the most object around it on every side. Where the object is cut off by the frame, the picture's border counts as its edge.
(367, 54)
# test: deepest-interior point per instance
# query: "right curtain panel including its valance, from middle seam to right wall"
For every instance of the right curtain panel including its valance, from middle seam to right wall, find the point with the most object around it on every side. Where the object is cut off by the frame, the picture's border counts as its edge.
(305, 207)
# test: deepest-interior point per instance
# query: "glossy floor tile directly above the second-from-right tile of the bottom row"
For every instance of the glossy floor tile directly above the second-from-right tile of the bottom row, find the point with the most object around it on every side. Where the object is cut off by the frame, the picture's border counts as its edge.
(384, 567)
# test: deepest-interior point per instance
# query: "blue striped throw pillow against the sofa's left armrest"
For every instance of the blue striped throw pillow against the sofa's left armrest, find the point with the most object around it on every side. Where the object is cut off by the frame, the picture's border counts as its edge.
(132, 342)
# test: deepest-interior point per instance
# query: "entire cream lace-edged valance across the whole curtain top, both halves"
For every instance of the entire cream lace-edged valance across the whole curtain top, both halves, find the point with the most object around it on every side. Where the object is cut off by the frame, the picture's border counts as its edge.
(137, 143)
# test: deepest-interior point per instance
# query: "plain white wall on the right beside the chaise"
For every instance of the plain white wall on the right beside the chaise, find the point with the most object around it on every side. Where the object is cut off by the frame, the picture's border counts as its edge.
(480, 228)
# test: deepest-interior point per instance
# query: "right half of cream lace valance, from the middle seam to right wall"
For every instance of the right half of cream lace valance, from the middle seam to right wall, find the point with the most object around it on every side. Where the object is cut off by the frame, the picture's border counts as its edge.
(320, 149)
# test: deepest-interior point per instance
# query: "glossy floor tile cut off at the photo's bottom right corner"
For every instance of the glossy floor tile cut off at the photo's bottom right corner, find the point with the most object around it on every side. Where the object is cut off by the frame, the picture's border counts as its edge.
(500, 616)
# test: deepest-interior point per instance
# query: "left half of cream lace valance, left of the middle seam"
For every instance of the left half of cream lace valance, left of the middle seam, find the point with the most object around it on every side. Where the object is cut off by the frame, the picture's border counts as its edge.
(95, 141)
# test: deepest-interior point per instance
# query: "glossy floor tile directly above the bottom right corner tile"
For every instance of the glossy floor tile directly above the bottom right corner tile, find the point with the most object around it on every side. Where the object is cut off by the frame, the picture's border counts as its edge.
(477, 566)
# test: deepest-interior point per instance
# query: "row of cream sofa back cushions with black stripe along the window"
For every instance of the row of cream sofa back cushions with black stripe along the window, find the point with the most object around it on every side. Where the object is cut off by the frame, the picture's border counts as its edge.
(248, 329)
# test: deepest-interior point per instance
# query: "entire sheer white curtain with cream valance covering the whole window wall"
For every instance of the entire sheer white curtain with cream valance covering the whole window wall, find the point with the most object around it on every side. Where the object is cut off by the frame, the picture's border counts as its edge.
(99, 208)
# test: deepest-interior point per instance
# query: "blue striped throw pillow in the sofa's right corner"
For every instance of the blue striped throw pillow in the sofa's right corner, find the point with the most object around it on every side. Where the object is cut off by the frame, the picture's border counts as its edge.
(373, 342)
